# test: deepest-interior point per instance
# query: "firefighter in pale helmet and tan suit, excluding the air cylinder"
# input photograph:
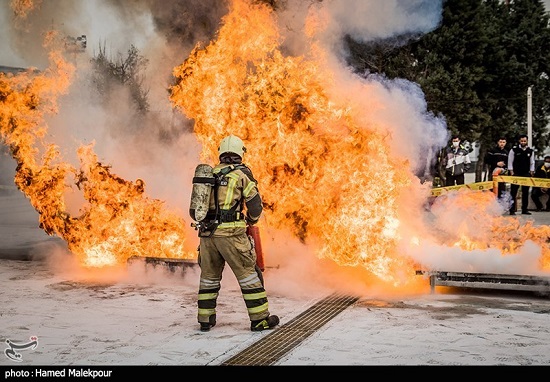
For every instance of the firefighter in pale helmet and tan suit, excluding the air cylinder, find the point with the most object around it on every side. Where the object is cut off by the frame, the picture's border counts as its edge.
(234, 203)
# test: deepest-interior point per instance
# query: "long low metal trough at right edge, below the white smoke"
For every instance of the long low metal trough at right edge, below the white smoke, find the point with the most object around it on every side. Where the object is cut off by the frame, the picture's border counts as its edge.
(527, 283)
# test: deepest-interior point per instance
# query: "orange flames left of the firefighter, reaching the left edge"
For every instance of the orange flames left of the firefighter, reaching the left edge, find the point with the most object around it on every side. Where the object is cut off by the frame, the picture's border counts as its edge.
(118, 221)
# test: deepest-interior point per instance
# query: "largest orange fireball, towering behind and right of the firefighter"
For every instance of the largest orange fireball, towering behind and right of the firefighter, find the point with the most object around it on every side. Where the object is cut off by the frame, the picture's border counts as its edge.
(323, 175)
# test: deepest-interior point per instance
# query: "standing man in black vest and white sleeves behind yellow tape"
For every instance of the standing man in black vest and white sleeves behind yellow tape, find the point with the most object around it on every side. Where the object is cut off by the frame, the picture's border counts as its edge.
(521, 162)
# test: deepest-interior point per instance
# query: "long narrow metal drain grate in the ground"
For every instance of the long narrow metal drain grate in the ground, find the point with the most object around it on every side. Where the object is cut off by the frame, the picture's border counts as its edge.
(279, 342)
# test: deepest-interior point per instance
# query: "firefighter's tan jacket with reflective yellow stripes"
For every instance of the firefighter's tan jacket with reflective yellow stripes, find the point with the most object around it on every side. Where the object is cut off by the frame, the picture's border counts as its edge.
(236, 192)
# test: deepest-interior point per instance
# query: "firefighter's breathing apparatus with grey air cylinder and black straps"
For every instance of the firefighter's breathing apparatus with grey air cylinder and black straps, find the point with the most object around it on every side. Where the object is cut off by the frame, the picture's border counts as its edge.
(204, 183)
